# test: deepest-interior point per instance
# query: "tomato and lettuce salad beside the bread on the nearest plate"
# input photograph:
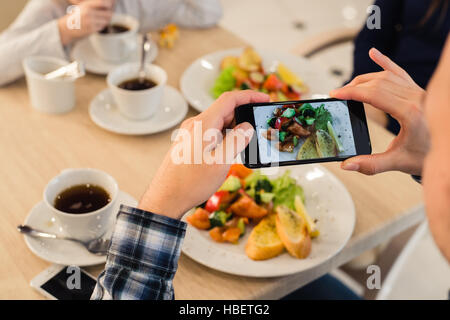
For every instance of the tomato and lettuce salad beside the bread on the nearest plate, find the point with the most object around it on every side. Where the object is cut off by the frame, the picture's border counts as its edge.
(244, 198)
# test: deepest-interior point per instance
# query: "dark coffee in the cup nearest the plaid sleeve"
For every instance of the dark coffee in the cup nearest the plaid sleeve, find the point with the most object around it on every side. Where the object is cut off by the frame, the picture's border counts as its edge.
(82, 198)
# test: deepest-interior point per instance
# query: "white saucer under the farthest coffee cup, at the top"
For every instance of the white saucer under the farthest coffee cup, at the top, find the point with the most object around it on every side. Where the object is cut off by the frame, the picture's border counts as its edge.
(83, 51)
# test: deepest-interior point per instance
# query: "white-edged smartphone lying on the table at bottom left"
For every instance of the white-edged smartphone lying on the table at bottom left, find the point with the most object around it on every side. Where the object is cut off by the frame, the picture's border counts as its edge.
(64, 283)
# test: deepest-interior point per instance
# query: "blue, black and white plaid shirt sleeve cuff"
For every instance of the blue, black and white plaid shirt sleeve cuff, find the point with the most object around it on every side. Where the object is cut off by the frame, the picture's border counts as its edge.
(143, 257)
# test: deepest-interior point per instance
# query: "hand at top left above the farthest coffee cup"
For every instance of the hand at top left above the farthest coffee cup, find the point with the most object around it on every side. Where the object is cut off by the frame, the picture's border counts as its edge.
(94, 16)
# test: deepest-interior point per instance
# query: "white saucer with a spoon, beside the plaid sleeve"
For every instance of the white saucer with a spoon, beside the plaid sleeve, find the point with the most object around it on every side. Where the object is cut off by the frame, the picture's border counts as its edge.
(62, 251)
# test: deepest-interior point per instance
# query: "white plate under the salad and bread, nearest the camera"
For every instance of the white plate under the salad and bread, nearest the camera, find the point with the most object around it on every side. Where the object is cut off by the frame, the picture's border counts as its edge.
(327, 200)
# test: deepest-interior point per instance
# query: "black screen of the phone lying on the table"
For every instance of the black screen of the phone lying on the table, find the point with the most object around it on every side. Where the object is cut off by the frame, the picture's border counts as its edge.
(57, 286)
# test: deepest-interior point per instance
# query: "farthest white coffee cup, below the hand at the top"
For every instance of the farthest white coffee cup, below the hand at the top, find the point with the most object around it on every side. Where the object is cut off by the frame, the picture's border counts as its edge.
(116, 47)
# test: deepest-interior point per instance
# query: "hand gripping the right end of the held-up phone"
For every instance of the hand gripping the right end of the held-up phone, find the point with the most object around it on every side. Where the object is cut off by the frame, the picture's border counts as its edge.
(394, 92)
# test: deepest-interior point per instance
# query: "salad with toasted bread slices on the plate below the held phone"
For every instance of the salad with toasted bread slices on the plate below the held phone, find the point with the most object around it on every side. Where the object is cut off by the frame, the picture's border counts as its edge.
(272, 210)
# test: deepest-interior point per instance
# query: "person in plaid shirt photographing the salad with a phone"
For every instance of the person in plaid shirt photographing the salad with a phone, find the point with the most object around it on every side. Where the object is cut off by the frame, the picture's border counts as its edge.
(146, 243)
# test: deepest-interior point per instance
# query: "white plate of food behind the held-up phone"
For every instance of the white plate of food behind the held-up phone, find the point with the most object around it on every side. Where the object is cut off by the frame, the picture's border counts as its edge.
(198, 79)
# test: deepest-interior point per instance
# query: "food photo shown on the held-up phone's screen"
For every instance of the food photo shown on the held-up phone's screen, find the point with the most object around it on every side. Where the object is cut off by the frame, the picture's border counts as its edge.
(304, 131)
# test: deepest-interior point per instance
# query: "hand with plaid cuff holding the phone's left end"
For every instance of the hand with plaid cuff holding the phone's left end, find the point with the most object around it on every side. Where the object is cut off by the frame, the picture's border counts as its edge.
(178, 187)
